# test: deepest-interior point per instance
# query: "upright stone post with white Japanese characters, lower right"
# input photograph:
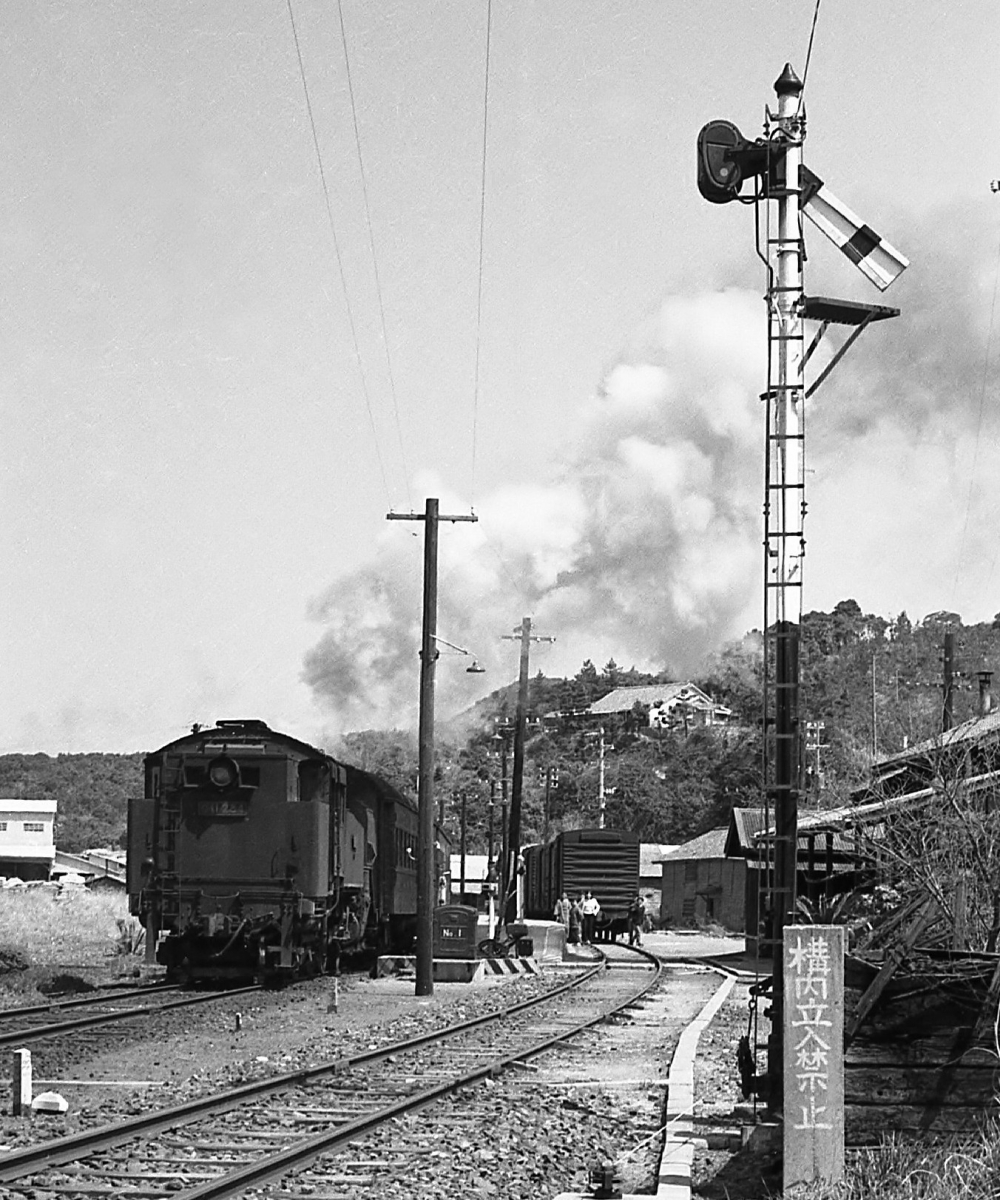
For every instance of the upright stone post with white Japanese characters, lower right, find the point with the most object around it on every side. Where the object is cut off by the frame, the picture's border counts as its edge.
(813, 965)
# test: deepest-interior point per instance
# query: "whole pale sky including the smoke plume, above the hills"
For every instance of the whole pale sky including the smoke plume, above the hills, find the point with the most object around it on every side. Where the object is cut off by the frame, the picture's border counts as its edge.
(232, 347)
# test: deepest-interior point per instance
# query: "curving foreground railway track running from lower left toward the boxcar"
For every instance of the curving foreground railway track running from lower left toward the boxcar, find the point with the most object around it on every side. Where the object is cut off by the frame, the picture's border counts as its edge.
(282, 1136)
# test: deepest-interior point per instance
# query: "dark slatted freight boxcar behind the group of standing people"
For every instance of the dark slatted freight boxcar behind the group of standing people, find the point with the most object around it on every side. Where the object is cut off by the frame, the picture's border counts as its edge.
(604, 862)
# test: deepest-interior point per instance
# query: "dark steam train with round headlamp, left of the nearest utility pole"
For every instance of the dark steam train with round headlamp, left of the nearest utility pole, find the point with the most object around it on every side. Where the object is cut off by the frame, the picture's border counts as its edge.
(255, 856)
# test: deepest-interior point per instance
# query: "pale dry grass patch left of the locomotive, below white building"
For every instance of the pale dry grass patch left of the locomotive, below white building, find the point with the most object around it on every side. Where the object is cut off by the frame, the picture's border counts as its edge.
(44, 929)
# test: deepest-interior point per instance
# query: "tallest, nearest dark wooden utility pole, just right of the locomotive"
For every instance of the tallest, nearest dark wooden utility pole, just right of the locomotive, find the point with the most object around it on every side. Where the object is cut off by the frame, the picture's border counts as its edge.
(426, 797)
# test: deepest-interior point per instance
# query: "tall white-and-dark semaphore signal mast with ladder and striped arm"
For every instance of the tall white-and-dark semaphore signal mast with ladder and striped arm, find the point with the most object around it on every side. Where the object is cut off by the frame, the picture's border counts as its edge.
(726, 160)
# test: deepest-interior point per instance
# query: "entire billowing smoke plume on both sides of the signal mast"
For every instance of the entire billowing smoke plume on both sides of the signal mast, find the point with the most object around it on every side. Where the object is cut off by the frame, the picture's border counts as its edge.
(646, 543)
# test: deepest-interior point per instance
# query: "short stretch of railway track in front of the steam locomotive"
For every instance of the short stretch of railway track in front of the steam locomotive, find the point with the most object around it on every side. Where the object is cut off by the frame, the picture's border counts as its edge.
(34, 1023)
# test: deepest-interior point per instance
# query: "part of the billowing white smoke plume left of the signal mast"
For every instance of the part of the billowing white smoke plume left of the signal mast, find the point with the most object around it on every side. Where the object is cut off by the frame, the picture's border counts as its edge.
(644, 545)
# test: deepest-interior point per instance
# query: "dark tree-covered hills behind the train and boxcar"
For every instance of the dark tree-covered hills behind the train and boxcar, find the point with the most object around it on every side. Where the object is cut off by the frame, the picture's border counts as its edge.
(871, 685)
